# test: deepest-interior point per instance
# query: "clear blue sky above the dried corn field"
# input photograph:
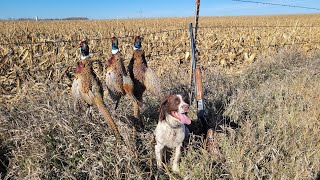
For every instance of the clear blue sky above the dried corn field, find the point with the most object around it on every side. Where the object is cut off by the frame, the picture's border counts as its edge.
(107, 9)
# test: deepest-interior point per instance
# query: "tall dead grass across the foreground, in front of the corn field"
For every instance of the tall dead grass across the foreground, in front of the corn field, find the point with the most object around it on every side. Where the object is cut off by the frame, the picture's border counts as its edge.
(267, 116)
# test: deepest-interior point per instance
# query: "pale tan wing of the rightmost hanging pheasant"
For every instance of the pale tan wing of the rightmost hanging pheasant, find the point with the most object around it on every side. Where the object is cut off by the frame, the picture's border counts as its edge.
(152, 82)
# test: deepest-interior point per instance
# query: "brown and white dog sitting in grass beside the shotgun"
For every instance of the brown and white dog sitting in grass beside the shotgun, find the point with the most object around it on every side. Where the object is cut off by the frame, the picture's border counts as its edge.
(171, 130)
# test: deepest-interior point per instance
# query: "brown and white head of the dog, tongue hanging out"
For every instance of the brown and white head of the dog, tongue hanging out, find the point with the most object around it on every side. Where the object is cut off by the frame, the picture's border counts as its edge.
(175, 106)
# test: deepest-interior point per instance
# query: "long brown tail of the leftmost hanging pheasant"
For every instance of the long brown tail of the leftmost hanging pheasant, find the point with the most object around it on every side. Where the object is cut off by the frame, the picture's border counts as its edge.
(106, 115)
